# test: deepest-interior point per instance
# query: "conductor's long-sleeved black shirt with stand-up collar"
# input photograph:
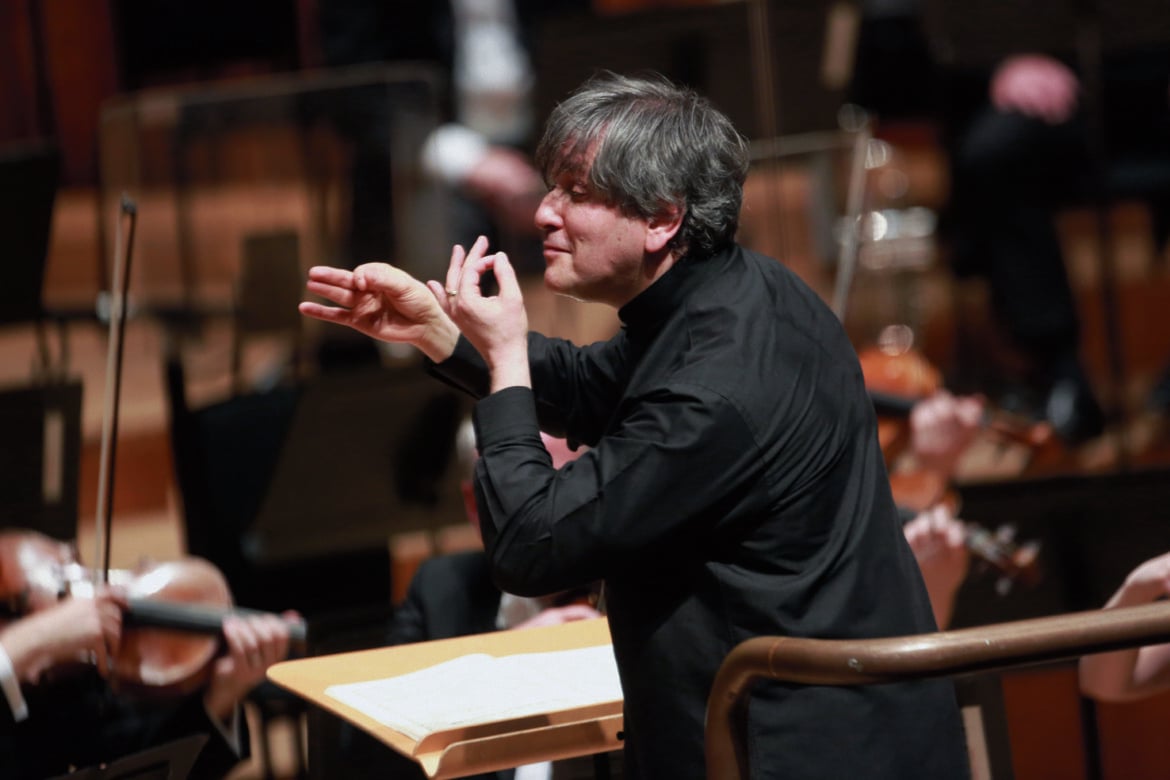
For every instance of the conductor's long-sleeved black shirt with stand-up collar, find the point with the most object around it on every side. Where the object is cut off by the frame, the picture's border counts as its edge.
(734, 488)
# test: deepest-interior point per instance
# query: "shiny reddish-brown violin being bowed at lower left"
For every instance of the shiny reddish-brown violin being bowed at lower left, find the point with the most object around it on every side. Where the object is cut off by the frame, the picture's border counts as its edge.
(171, 626)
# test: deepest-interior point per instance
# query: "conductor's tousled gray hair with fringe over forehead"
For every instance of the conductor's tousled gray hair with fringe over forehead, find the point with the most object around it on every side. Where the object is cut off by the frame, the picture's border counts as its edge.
(657, 146)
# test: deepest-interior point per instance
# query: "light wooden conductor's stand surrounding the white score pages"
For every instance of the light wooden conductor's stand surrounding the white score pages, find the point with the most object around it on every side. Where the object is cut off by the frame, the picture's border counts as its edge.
(473, 749)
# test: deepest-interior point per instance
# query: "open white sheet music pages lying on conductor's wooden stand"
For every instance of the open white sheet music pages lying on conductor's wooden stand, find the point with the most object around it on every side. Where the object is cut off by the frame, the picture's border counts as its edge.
(480, 688)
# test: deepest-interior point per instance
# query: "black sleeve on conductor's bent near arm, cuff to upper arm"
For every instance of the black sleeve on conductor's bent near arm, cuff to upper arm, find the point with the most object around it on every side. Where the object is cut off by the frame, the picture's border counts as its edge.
(636, 498)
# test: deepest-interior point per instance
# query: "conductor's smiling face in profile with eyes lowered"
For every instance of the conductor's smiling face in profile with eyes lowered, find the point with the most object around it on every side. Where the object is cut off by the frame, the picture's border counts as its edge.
(591, 250)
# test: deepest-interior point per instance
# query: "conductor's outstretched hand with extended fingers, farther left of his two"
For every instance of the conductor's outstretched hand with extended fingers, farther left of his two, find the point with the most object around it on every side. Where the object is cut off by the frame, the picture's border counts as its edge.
(386, 303)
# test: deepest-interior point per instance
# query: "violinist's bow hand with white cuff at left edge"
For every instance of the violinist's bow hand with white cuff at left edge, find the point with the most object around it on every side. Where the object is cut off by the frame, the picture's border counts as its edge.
(74, 631)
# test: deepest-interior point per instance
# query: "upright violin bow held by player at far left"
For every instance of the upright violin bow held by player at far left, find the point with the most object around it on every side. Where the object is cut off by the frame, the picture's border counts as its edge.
(120, 287)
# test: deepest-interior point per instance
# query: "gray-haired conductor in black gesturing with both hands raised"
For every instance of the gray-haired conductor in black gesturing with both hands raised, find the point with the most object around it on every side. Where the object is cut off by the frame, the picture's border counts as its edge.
(734, 485)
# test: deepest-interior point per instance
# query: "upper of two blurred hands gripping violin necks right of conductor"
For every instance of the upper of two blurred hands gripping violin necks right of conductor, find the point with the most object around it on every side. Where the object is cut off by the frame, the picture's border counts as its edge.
(942, 427)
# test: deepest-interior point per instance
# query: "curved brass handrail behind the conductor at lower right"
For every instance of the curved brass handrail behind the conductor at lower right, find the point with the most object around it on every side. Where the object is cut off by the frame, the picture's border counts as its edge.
(863, 662)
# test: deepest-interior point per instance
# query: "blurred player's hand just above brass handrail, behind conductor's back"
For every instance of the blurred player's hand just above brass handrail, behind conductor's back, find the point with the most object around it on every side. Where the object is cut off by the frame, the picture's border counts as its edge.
(939, 542)
